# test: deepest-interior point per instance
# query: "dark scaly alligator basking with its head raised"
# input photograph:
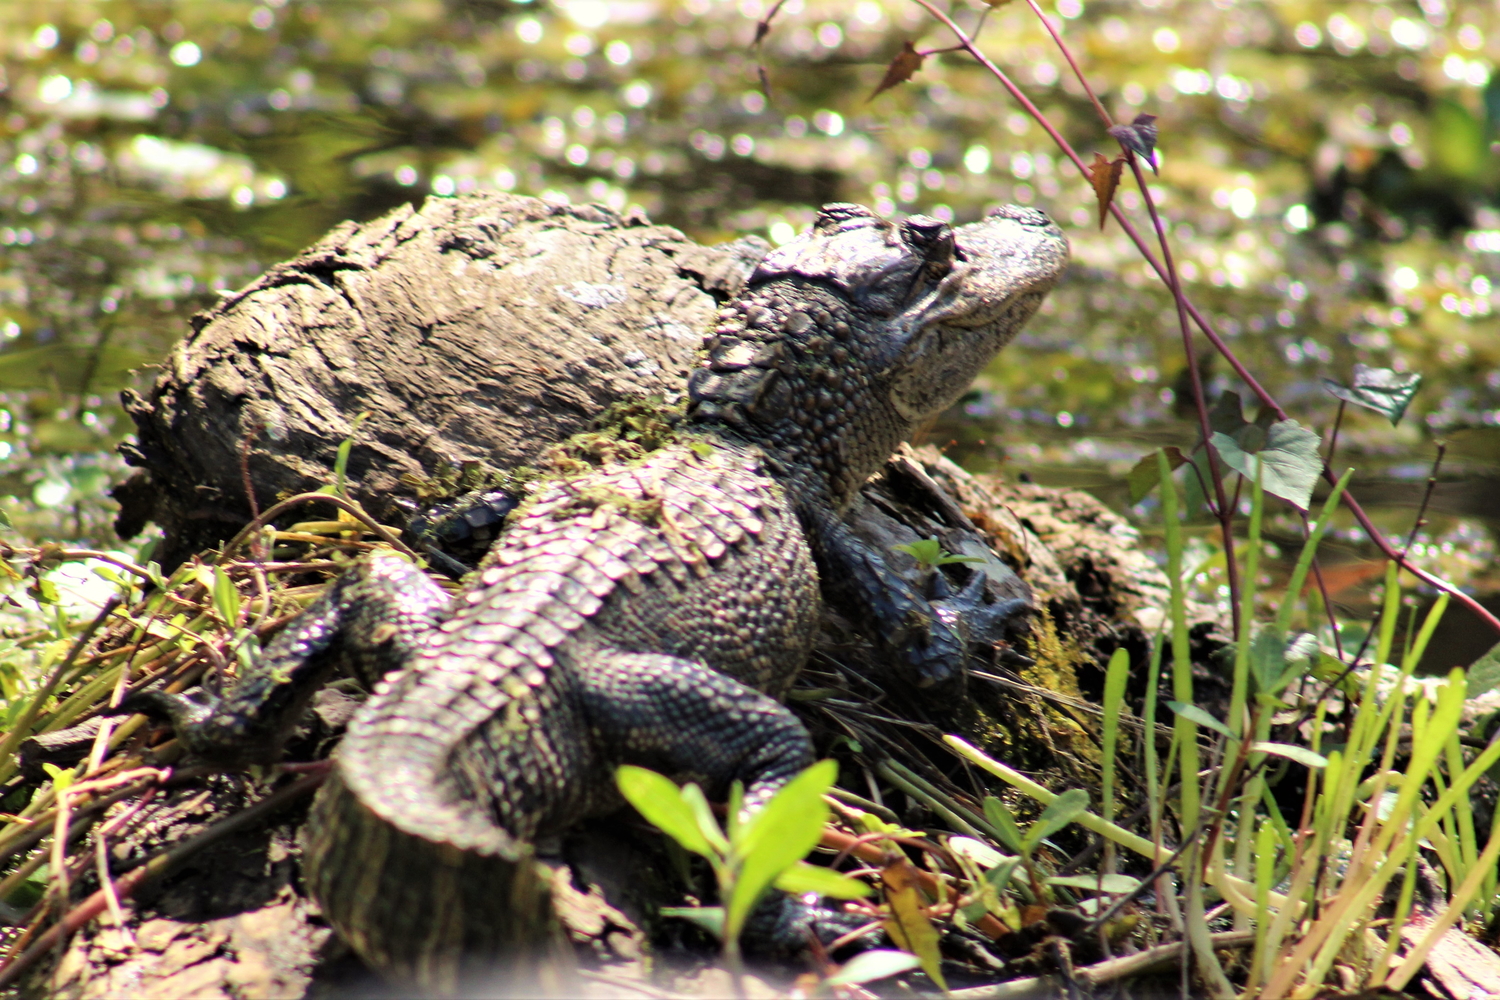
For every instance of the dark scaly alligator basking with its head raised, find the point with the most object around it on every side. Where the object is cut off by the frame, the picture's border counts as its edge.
(647, 608)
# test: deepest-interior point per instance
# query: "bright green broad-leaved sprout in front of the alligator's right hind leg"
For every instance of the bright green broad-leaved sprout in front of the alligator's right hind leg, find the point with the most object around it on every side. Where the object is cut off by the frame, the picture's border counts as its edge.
(758, 851)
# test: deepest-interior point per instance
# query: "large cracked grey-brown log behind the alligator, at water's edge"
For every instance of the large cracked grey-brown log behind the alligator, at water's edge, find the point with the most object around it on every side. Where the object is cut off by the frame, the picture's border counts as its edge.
(476, 329)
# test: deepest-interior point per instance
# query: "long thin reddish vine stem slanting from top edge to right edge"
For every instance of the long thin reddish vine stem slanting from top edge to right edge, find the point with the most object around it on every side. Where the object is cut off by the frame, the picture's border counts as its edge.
(1480, 611)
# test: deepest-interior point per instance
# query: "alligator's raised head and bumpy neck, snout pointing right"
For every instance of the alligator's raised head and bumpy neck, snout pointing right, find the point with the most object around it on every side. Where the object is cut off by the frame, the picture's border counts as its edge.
(848, 338)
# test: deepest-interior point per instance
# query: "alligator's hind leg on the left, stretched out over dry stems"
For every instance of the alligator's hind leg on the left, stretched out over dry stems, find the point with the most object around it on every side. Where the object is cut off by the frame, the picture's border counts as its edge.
(371, 620)
